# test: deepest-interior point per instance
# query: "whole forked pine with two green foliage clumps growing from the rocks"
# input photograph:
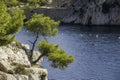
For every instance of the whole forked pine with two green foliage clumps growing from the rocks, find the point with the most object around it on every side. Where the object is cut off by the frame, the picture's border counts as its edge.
(47, 27)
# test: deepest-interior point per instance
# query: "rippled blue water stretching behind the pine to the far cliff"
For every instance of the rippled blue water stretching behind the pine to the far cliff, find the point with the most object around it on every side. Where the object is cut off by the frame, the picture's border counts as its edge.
(96, 51)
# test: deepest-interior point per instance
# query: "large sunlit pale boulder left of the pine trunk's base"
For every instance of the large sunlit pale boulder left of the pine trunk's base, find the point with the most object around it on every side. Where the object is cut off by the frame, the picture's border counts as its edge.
(11, 56)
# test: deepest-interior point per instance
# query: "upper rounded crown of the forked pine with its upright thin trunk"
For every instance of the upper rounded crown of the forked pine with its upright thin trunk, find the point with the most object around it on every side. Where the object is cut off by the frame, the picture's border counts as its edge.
(43, 26)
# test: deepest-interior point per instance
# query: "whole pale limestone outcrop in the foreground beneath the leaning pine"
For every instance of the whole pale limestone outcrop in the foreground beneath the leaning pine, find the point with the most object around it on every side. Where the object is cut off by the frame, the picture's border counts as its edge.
(14, 64)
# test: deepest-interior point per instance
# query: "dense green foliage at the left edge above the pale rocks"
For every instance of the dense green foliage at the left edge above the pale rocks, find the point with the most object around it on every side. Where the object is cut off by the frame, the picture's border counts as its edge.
(11, 21)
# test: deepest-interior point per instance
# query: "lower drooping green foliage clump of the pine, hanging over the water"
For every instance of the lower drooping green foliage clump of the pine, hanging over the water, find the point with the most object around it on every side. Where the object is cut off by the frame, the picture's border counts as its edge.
(58, 57)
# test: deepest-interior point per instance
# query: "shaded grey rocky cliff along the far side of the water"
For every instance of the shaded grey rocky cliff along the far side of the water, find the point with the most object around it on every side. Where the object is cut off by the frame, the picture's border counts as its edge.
(95, 12)
